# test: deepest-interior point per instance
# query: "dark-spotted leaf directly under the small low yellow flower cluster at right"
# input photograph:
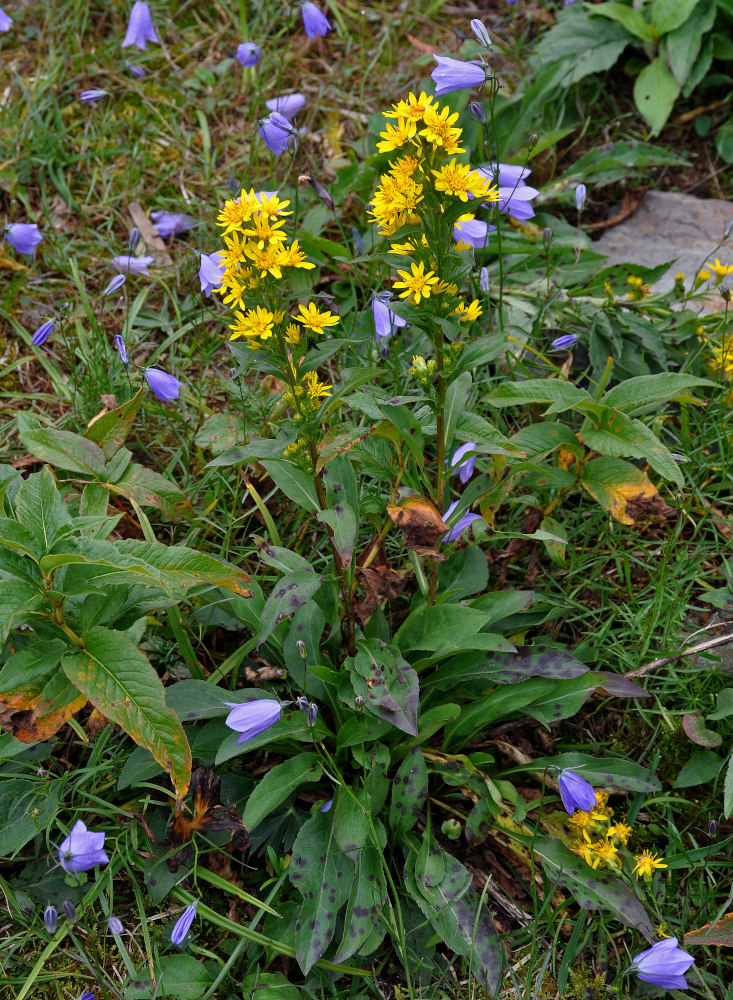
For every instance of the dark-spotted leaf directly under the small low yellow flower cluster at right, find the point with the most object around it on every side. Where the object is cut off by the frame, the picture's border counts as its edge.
(591, 889)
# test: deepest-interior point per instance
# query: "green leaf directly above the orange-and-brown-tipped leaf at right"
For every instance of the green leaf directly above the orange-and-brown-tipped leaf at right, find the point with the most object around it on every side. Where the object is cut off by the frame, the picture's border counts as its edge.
(611, 432)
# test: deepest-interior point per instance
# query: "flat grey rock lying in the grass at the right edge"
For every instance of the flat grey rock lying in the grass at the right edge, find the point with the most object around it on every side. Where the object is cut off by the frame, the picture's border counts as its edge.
(671, 226)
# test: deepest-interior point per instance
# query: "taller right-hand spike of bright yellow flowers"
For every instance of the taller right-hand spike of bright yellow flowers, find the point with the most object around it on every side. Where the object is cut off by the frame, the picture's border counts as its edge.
(425, 205)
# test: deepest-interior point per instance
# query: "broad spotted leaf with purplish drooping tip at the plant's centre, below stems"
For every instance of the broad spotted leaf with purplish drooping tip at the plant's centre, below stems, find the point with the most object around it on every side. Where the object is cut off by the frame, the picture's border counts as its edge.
(386, 682)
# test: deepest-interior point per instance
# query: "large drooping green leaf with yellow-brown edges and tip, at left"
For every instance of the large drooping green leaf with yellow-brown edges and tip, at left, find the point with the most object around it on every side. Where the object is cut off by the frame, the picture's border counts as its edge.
(120, 682)
